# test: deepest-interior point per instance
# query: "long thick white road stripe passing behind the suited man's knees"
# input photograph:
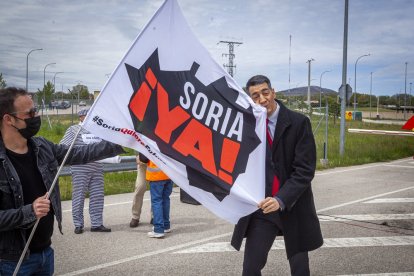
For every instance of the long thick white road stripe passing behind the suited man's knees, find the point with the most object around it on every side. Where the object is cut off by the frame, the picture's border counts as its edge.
(217, 247)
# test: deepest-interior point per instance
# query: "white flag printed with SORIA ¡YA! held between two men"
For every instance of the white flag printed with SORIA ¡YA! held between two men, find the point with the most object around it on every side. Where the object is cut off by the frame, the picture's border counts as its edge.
(169, 100)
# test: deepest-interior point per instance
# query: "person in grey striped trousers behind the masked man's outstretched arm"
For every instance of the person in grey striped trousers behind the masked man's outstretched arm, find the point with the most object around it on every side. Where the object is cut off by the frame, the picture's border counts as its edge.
(86, 178)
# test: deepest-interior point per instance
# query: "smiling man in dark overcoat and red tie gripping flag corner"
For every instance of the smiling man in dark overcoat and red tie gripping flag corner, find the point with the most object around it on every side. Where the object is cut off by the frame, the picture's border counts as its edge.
(288, 207)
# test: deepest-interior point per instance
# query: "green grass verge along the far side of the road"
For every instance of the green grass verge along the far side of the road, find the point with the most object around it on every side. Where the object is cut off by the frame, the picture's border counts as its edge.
(359, 149)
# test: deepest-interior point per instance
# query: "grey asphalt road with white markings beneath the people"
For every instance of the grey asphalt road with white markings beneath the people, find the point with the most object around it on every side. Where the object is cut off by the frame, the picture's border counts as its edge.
(367, 219)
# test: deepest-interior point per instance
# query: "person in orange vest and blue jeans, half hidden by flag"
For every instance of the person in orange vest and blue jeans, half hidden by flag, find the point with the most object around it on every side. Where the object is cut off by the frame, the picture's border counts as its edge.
(160, 190)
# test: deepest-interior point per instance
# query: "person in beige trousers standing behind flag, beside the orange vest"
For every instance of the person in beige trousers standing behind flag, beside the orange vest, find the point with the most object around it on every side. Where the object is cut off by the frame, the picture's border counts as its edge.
(140, 188)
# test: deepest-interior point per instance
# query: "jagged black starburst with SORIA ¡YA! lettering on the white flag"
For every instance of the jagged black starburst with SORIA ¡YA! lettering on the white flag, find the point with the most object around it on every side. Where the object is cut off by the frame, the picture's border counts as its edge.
(200, 126)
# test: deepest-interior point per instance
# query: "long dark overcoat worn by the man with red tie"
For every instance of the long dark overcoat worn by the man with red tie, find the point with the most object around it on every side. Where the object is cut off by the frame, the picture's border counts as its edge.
(293, 160)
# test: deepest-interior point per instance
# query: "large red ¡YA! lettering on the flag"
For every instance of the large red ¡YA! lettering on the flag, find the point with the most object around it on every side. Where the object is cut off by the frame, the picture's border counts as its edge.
(194, 139)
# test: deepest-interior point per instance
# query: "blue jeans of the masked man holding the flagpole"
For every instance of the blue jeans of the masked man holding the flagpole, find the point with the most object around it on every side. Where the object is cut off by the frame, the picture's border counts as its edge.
(39, 263)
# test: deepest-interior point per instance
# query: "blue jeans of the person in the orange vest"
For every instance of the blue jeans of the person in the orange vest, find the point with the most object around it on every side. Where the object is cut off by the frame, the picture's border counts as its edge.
(160, 203)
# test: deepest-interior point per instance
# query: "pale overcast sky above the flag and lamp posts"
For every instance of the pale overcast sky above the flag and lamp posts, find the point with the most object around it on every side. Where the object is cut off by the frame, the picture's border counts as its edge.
(87, 39)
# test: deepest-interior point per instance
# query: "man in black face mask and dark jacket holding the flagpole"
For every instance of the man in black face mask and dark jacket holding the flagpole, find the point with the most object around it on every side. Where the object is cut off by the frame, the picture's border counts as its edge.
(28, 166)
